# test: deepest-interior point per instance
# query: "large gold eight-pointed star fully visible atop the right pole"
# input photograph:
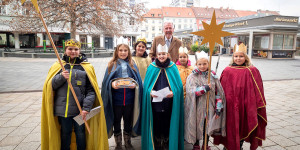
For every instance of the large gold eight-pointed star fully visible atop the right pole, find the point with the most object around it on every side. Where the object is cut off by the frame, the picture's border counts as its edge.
(212, 33)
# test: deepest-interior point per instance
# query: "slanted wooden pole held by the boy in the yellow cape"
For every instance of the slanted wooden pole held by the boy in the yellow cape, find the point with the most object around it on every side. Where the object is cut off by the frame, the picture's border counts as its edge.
(63, 68)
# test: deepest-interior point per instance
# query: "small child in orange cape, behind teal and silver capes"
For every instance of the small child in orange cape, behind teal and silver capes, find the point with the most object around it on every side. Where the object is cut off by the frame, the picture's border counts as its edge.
(184, 66)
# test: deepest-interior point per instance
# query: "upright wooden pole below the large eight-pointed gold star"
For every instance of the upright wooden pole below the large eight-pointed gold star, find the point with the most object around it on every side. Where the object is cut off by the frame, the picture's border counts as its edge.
(211, 48)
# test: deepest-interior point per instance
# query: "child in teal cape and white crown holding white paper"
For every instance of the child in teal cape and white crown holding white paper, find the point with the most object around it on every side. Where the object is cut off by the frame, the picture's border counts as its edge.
(162, 121)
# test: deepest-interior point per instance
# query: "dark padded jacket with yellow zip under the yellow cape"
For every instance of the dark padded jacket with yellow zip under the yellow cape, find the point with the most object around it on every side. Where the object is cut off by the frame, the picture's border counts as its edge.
(64, 102)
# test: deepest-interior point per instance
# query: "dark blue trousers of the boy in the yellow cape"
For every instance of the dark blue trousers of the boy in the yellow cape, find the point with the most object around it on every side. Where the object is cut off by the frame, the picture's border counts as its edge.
(66, 132)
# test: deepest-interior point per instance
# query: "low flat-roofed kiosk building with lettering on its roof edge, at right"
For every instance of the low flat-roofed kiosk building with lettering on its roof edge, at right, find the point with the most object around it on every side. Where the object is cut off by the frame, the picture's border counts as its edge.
(266, 36)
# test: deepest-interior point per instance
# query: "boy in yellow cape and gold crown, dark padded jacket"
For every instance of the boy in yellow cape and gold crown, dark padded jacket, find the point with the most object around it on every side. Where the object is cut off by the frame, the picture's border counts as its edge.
(59, 106)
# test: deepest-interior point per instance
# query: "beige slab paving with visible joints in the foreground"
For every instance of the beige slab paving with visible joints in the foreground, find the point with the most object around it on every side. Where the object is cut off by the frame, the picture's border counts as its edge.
(20, 119)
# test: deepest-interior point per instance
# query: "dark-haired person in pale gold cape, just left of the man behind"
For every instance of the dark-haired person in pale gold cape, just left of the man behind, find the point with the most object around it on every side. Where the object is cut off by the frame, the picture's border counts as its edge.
(140, 57)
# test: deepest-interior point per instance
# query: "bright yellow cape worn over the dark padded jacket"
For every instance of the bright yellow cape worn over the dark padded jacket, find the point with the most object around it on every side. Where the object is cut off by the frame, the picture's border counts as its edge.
(50, 128)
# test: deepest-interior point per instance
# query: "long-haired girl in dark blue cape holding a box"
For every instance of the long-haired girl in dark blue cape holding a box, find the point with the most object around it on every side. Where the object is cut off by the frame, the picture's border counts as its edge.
(122, 93)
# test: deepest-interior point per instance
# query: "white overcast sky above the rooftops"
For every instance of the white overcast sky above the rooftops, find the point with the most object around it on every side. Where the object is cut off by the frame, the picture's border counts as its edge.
(285, 7)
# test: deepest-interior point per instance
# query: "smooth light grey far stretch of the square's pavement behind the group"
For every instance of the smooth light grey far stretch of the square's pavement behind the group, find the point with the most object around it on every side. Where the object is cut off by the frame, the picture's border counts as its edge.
(27, 74)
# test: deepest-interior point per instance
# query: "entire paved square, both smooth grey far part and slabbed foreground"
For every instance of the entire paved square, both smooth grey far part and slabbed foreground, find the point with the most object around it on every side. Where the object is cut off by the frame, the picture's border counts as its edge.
(20, 112)
